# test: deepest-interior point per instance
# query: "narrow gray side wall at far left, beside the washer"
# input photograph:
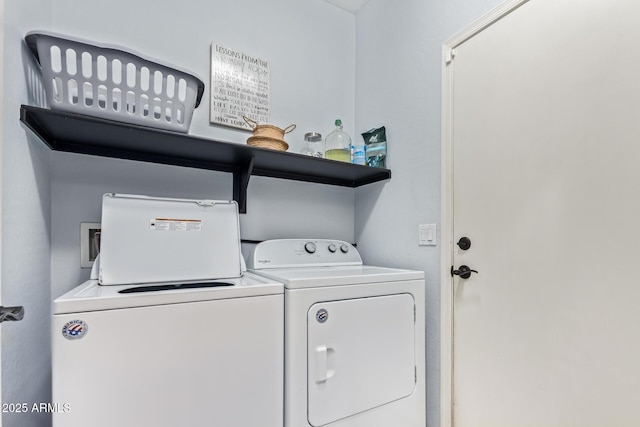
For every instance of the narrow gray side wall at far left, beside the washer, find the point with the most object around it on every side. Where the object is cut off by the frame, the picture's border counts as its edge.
(26, 224)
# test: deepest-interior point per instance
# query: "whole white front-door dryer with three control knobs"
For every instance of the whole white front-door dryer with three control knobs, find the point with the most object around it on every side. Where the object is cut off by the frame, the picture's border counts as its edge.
(354, 336)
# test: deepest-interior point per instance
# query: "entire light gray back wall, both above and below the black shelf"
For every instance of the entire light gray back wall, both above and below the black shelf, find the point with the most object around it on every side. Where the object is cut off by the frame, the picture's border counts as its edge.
(311, 49)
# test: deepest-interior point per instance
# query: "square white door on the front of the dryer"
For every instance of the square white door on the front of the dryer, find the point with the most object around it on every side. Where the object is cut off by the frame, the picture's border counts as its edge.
(360, 355)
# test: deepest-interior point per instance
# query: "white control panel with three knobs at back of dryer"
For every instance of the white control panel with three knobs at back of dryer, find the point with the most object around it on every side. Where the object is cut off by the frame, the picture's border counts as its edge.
(282, 253)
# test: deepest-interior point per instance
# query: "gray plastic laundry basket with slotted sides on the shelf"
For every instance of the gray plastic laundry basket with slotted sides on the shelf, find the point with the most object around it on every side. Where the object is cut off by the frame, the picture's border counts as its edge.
(112, 83)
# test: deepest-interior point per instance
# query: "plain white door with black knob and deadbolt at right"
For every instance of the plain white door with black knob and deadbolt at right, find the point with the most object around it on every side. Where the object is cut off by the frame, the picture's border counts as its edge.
(545, 183)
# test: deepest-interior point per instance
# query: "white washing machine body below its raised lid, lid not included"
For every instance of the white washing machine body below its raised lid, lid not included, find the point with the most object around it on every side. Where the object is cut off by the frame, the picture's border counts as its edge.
(167, 356)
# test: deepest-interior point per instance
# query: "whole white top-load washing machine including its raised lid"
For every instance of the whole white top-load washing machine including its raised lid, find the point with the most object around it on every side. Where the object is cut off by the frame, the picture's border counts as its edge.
(204, 348)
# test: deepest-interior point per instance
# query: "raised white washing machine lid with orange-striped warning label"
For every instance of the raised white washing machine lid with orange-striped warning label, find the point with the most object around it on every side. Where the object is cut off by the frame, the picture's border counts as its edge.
(150, 239)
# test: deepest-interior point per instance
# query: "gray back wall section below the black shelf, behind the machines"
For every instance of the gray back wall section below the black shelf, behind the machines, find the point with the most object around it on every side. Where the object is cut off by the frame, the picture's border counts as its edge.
(78, 183)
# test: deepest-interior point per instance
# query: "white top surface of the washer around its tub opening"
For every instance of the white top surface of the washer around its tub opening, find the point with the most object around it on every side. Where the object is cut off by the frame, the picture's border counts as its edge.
(91, 296)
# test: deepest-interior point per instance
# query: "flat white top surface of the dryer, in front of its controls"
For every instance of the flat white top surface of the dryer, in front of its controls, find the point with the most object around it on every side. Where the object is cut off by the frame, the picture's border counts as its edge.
(313, 277)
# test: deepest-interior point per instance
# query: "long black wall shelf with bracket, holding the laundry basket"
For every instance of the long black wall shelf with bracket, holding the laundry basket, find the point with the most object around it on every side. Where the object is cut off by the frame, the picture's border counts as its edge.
(77, 133)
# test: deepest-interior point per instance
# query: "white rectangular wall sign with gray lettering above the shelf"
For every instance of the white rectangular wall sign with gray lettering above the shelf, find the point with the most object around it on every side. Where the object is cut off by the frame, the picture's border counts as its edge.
(239, 87)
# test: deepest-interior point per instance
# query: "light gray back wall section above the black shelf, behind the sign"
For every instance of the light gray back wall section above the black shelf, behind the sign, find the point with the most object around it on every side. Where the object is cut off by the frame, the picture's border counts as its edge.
(310, 45)
